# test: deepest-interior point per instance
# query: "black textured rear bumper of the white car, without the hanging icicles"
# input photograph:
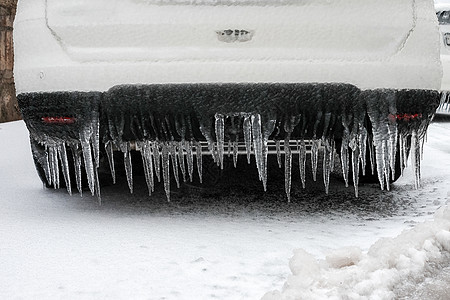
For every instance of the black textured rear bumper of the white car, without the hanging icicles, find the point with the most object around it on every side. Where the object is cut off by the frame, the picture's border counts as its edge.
(176, 112)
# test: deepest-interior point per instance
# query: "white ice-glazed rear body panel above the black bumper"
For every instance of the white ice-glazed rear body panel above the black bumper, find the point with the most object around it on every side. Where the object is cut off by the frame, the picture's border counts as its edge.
(92, 45)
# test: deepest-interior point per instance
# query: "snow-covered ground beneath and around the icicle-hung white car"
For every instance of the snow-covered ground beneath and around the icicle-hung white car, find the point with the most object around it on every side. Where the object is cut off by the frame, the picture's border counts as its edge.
(225, 241)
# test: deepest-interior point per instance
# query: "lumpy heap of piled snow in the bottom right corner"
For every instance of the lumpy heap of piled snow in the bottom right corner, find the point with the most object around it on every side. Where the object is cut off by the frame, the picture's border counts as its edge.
(378, 274)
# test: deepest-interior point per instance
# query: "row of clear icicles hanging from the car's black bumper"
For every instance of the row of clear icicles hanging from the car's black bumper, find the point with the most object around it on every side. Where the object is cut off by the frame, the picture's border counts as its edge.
(368, 119)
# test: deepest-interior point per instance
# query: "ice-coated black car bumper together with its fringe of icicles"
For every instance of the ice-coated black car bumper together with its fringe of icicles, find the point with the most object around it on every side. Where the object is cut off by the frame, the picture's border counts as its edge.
(373, 132)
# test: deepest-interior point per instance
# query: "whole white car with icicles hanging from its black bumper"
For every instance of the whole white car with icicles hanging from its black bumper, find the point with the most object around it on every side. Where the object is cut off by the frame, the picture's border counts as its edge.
(174, 80)
